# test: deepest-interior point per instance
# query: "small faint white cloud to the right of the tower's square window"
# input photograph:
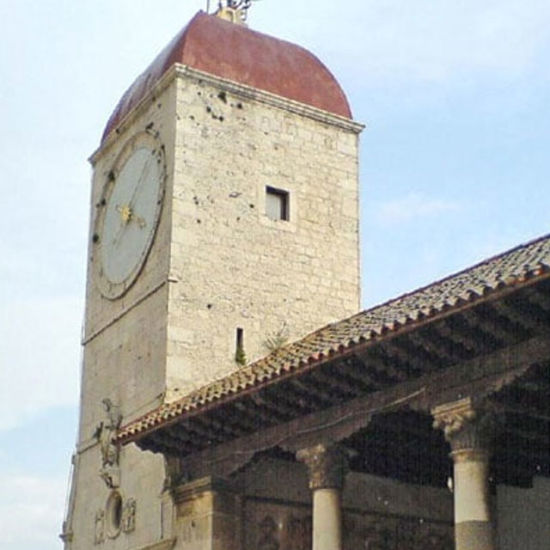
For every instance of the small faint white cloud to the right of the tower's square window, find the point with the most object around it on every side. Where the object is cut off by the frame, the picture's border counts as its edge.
(411, 207)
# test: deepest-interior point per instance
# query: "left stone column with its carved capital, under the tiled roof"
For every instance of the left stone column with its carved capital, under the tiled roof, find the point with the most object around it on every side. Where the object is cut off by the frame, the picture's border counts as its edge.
(327, 466)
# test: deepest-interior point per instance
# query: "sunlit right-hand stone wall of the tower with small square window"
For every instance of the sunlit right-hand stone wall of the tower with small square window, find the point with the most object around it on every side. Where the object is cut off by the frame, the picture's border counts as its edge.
(233, 267)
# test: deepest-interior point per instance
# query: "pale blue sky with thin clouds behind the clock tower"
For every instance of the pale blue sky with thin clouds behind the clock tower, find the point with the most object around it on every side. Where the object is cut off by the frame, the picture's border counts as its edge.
(454, 168)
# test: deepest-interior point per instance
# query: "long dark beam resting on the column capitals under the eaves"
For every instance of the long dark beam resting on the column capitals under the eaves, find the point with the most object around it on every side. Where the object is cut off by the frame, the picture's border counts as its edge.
(339, 422)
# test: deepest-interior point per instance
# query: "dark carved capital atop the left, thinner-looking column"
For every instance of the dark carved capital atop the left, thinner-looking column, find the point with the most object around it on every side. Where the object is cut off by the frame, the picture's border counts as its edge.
(327, 466)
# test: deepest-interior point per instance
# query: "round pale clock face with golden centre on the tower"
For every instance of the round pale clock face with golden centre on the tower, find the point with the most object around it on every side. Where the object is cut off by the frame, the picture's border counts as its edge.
(131, 209)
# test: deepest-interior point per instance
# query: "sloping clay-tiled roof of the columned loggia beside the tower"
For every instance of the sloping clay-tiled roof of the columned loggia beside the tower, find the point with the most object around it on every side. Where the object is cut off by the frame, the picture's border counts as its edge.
(513, 268)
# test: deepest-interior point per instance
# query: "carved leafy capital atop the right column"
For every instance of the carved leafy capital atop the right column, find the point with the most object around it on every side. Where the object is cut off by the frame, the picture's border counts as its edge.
(466, 427)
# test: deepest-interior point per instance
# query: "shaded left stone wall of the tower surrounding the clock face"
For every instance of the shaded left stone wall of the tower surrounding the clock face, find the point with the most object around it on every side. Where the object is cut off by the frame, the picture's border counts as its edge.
(124, 360)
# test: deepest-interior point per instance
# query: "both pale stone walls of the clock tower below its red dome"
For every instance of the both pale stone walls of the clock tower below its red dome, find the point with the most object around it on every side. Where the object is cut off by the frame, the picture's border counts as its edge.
(216, 263)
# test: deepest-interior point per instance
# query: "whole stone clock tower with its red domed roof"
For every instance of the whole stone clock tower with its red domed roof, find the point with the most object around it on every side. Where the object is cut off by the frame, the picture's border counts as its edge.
(224, 222)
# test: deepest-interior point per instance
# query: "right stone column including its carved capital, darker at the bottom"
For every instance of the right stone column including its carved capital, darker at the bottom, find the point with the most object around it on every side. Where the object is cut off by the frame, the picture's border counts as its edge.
(470, 432)
